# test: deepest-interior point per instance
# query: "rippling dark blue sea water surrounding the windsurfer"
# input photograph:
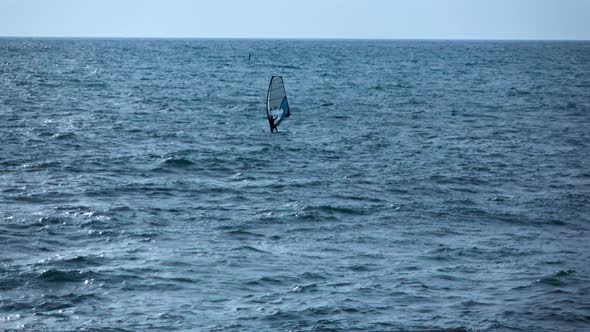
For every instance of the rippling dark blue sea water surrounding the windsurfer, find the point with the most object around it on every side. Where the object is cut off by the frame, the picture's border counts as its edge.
(417, 185)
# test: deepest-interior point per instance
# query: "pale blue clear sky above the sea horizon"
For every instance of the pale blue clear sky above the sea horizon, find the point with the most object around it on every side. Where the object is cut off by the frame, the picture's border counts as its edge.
(390, 19)
